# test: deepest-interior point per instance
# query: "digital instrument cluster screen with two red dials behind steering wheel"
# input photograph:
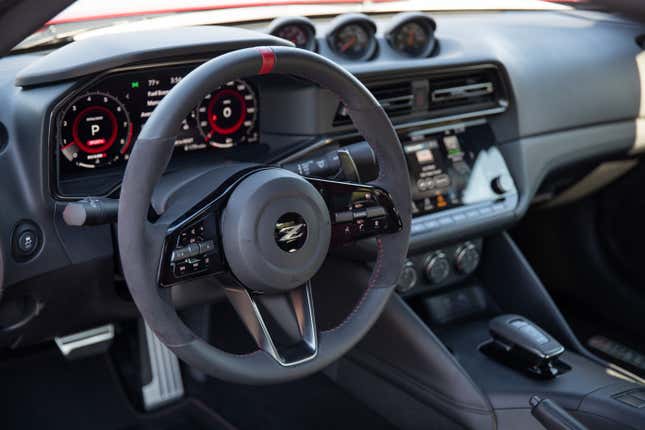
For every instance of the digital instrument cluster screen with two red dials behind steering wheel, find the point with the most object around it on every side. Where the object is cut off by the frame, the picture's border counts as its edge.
(98, 127)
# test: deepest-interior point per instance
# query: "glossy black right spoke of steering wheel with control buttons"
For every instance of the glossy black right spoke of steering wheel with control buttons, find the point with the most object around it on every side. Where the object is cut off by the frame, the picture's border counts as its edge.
(357, 211)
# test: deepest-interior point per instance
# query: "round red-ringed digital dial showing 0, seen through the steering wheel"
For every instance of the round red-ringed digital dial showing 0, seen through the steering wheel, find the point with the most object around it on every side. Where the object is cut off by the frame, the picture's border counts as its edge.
(227, 116)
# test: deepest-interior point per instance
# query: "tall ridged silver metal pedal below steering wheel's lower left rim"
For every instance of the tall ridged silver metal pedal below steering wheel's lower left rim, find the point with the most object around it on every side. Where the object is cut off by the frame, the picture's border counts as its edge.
(165, 383)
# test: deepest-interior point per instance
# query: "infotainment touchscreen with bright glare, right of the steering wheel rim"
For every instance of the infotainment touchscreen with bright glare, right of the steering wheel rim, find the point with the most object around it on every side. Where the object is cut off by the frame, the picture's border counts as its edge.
(450, 167)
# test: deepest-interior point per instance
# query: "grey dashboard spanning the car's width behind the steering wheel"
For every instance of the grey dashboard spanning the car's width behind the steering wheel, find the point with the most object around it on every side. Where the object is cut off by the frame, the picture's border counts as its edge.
(484, 113)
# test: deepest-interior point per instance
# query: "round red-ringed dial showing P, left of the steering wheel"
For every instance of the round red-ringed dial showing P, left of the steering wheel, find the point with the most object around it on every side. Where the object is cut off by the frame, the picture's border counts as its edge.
(95, 131)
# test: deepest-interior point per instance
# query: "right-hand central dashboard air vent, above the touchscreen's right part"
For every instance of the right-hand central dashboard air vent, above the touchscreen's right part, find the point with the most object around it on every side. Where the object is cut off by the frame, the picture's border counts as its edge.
(463, 92)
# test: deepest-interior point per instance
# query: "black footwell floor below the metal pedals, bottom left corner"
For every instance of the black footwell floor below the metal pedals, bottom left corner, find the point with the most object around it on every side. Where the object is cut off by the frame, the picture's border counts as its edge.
(42, 390)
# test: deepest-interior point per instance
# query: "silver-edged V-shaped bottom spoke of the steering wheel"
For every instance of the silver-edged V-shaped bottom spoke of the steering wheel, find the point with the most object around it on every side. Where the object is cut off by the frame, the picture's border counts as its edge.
(283, 325)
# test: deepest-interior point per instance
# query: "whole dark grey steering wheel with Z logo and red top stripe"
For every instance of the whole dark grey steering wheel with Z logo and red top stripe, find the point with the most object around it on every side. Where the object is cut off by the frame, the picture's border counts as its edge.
(262, 231)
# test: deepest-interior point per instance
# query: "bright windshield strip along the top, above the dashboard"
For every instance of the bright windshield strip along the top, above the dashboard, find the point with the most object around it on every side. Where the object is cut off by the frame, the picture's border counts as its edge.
(90, 16)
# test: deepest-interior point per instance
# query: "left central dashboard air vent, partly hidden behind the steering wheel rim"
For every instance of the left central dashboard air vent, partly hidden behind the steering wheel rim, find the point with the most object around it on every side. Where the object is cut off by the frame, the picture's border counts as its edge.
(397, 98)
